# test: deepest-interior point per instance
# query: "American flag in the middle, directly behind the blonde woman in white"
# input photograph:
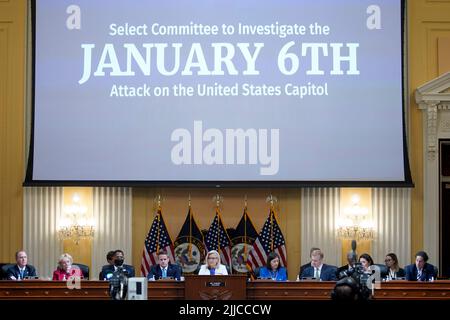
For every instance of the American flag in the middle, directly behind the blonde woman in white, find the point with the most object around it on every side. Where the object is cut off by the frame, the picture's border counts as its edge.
(217, 239)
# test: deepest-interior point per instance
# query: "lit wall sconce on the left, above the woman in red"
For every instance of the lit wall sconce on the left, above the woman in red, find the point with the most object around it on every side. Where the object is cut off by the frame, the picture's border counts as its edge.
(75, 225)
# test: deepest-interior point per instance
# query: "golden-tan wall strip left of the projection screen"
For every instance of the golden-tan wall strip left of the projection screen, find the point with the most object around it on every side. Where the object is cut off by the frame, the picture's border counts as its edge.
(12, 97)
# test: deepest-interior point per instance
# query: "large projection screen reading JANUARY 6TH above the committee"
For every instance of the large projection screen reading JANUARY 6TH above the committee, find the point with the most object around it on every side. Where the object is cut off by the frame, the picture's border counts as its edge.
(234, 92)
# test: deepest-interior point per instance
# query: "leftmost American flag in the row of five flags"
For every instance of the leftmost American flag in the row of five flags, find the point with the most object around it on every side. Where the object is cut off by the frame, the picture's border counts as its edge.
(157, 238)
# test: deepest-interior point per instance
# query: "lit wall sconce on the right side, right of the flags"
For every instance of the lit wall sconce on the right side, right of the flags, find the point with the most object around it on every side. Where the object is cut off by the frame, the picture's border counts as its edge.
(355, 225)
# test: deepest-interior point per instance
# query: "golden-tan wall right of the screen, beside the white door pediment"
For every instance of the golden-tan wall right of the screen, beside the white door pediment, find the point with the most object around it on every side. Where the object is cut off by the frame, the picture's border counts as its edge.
(428, 56)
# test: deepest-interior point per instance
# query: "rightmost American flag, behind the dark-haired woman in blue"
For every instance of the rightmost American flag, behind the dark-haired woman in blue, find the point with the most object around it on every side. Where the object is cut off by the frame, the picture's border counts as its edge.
(269, 239)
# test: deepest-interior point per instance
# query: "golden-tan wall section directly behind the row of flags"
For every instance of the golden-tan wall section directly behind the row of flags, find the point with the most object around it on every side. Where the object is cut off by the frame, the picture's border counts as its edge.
(175, 209)
